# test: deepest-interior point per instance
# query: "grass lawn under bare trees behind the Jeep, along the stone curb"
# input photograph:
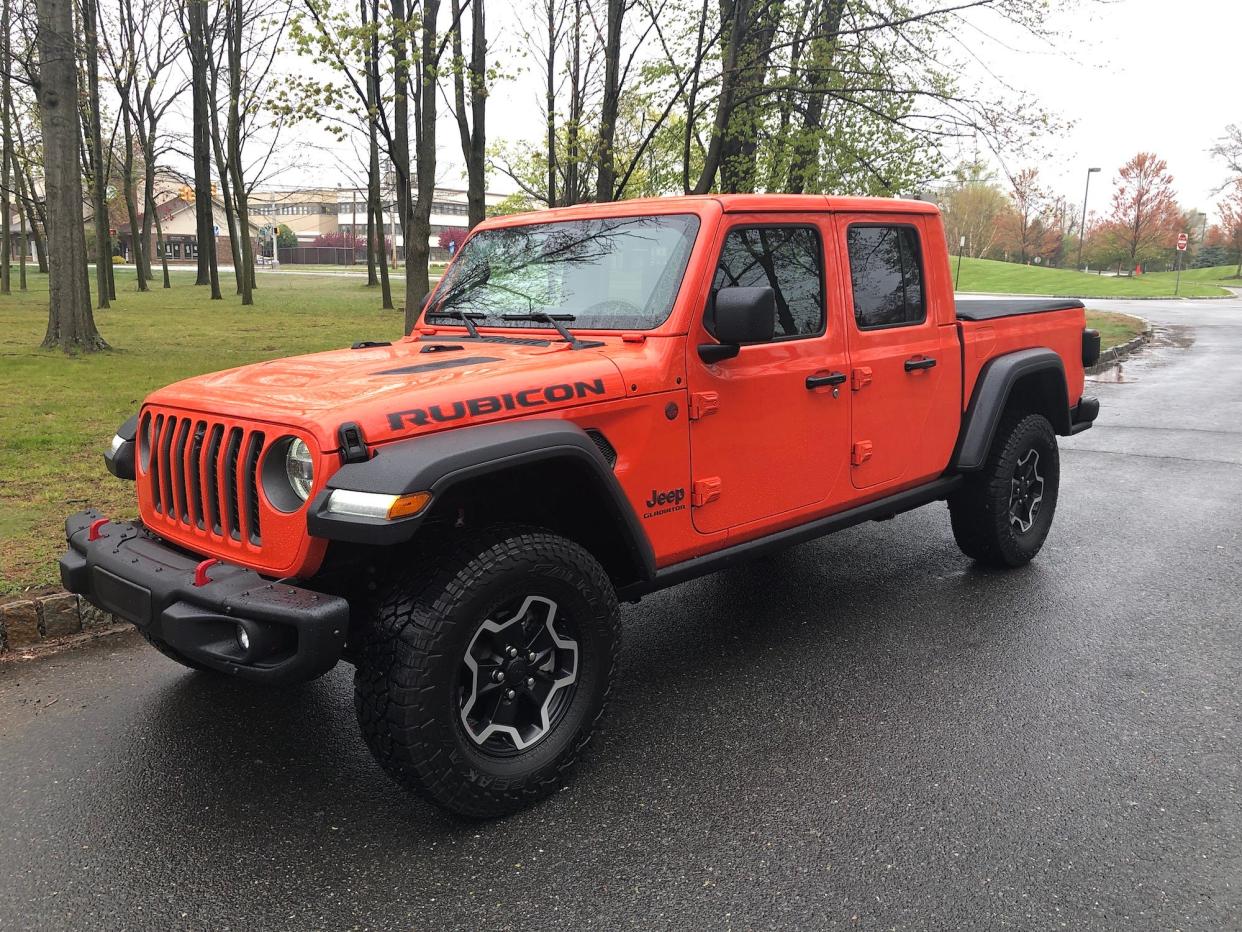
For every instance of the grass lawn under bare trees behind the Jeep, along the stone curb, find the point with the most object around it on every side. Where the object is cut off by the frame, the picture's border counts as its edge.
(58, 413)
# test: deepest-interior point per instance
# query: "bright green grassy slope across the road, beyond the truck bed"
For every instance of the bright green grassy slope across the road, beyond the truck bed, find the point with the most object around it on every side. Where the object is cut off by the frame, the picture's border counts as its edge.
(989, 276)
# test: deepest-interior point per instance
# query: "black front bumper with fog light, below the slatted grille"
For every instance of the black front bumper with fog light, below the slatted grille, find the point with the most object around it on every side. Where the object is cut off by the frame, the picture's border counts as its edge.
(295, 634)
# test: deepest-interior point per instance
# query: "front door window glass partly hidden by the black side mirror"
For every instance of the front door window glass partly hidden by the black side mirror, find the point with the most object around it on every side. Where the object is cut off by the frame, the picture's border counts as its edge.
(791, 260)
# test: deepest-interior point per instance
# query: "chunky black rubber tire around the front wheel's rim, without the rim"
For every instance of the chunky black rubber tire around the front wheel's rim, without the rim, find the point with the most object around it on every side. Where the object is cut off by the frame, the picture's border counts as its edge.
(413, 647)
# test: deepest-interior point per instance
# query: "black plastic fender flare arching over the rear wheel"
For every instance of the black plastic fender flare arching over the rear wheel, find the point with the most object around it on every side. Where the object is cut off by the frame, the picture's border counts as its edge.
(992, 396)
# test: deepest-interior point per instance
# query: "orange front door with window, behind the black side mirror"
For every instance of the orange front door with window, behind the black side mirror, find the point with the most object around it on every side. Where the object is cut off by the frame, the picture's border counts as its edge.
(769, 428)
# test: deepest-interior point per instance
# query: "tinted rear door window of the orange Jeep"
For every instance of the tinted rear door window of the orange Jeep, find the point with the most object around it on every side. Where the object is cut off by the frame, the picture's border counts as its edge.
(887, 275)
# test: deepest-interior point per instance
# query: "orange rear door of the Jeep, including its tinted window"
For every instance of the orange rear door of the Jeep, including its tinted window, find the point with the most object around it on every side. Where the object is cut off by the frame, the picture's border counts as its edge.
(904, 365)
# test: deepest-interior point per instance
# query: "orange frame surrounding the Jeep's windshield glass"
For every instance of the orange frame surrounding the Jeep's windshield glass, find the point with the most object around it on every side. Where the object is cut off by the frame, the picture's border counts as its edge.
(699, 212)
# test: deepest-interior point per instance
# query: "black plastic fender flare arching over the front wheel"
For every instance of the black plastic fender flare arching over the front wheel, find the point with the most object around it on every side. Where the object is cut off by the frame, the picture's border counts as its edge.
(439, 462)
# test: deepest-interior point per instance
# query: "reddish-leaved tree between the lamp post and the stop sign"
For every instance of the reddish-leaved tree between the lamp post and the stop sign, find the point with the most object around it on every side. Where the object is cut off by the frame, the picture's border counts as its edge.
(1146, 221)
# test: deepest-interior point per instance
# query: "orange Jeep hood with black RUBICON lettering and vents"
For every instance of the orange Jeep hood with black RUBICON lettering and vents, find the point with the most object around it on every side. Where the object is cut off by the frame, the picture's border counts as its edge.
(415, 386)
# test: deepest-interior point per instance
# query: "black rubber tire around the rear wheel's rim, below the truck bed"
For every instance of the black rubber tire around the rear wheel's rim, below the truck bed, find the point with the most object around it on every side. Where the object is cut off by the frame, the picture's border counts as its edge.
(983, 525)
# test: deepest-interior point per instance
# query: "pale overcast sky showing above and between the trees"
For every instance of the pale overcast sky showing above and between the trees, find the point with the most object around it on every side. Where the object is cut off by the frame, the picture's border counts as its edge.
(1131, 75)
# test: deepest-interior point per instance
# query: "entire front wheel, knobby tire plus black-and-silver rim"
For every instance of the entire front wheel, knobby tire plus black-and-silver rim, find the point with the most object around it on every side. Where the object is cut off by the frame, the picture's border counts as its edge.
(479, 684)
